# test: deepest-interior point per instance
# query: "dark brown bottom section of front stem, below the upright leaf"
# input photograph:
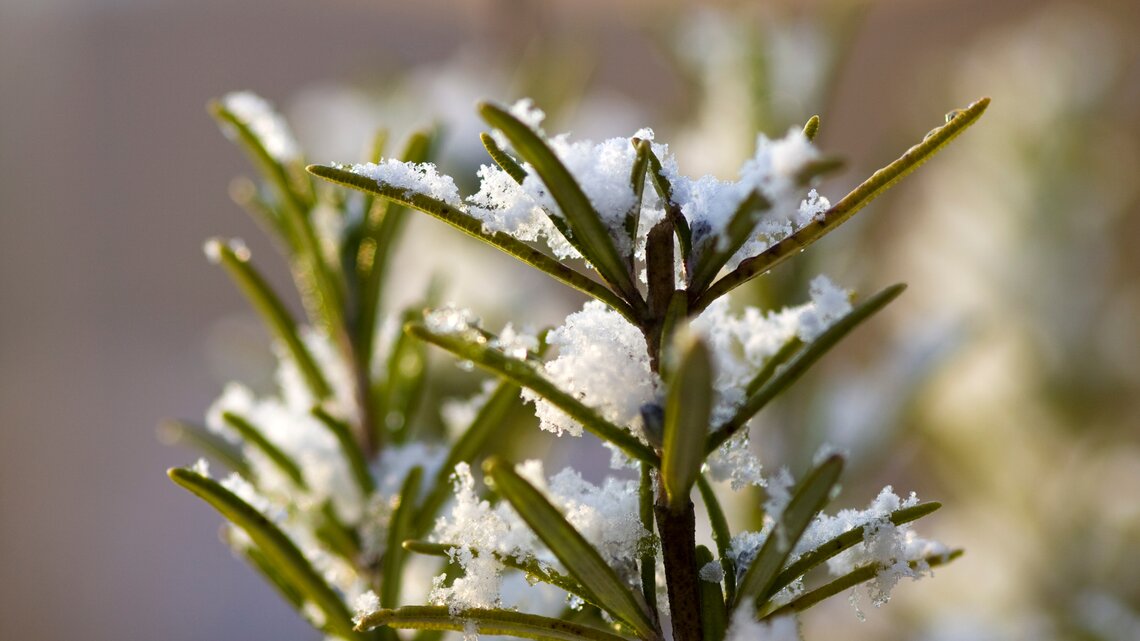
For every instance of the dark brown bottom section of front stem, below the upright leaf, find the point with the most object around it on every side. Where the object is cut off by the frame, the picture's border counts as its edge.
(679, 548)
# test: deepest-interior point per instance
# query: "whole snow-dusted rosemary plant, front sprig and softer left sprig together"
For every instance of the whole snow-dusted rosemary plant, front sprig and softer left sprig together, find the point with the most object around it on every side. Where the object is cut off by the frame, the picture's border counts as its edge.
(333, 493)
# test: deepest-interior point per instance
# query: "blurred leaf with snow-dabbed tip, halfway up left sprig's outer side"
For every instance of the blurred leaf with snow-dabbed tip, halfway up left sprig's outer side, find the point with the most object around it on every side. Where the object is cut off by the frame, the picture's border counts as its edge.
(237, 263)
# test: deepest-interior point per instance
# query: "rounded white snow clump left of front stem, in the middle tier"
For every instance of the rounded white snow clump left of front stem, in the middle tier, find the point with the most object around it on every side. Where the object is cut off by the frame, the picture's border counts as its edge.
(602, 361)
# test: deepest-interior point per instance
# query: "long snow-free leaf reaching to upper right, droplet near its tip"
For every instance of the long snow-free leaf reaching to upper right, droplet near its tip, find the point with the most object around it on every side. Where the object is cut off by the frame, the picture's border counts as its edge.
(852, 204)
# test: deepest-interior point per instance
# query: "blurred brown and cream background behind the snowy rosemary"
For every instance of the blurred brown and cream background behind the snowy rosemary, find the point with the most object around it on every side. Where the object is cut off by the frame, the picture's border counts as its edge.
(1005, 384)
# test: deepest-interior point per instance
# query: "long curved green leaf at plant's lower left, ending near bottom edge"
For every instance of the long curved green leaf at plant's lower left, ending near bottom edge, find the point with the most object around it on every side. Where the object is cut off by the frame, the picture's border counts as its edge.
(279, 549)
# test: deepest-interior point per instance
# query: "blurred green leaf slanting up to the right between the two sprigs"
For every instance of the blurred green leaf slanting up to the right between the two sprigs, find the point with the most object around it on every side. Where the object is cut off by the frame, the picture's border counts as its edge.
(488, 421)
